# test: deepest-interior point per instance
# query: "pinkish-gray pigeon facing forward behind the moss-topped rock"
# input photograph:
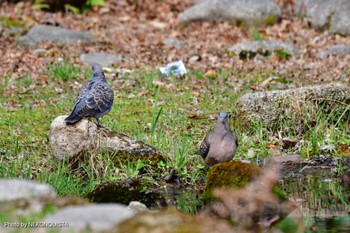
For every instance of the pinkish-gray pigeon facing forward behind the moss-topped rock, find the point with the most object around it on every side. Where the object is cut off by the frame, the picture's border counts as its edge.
(220, 144)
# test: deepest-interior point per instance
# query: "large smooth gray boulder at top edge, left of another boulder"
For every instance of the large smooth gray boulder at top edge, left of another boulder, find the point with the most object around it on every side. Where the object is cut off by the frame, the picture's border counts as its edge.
(259, 12)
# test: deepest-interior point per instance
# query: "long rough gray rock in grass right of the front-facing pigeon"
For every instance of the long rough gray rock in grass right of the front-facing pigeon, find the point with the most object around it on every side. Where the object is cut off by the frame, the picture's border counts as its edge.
(296, 106)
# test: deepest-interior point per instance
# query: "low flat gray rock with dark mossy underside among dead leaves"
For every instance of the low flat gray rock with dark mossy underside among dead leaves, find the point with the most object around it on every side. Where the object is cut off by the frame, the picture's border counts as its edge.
(263, 47)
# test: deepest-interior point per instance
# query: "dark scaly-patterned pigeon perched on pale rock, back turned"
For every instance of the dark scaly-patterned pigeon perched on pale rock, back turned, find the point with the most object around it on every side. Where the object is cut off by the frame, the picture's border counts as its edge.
(95, 99)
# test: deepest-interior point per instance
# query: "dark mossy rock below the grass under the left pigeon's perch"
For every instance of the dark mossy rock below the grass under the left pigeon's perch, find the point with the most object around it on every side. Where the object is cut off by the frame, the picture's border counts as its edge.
(125, 191)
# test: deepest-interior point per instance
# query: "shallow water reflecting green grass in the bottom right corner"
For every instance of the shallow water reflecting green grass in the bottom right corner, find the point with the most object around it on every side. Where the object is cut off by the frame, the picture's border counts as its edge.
(323, 202)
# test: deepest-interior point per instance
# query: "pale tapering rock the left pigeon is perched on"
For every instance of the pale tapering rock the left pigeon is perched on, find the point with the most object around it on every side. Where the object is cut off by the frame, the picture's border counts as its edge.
(68, 141)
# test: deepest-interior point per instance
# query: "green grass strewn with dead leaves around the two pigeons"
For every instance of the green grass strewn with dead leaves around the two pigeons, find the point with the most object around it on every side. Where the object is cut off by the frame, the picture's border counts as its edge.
(157, 115)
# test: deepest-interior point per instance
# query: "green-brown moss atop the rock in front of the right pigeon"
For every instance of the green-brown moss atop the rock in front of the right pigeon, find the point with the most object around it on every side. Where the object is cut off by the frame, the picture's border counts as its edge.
(232, 174)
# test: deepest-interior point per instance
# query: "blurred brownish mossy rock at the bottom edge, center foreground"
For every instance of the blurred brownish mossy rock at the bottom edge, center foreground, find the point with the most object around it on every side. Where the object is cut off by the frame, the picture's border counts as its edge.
(171, 221)
